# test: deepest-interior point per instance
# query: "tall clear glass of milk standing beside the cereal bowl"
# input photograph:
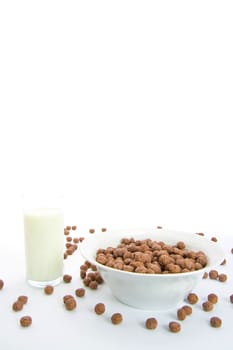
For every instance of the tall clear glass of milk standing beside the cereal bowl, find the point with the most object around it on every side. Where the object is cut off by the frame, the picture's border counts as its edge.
(44, 239)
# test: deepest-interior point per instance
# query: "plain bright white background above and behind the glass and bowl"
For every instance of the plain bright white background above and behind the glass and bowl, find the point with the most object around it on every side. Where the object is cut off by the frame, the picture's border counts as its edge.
(125, 107)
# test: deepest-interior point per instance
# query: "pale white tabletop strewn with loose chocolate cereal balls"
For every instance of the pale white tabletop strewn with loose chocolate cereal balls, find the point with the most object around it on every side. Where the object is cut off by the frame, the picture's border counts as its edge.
(82, 329)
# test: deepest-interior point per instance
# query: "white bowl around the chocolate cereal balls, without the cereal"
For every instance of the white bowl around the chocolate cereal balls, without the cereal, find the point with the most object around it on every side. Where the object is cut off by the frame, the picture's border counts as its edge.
(151, 291)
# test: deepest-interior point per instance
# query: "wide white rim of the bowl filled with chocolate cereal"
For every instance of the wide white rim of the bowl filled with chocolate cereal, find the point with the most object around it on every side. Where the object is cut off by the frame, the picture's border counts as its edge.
(155, 275)
